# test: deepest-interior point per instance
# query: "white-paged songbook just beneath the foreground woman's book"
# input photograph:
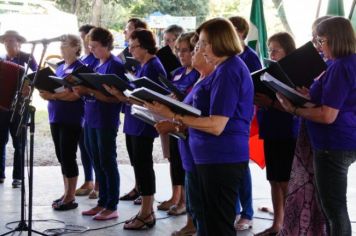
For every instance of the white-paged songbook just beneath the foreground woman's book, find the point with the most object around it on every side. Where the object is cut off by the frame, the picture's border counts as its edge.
(151, 118)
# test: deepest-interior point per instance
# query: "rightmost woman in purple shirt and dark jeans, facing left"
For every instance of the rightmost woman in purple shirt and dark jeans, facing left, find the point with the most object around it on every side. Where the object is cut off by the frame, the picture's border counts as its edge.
(332, 124)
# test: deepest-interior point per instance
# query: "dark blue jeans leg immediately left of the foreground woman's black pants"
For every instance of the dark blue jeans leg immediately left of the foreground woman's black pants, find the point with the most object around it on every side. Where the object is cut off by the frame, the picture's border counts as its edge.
(194, 203)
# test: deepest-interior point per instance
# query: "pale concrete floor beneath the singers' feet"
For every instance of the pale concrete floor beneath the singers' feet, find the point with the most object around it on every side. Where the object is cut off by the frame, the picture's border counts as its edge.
(47, 186)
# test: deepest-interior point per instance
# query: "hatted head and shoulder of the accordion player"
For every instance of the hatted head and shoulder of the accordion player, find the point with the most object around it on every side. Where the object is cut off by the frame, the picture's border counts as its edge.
(12, 41)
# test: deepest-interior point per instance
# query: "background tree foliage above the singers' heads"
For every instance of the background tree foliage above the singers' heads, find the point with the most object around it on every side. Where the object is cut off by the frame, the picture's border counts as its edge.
(116, 12)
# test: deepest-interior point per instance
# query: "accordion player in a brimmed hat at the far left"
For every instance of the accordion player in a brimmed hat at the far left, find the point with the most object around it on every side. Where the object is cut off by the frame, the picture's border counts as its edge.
(12, 41)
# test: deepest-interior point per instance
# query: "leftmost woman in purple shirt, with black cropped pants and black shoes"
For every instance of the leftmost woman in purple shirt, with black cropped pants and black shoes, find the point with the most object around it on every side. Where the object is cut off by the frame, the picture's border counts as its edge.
(65, 128)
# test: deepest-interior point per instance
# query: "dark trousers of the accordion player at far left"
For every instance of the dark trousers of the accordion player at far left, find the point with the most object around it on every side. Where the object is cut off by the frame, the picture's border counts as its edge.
(5, 128)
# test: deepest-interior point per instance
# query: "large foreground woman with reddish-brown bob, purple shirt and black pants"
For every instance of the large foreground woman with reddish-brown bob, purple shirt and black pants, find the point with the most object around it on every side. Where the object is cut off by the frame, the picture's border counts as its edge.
(219, 138)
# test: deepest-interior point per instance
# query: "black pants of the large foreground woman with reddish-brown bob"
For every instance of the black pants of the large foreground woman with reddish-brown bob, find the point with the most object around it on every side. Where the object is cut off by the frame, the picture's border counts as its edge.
(218, 185)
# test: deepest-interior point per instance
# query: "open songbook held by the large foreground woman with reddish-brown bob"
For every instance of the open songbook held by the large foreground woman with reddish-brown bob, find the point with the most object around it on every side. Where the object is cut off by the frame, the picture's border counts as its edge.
(143, 94)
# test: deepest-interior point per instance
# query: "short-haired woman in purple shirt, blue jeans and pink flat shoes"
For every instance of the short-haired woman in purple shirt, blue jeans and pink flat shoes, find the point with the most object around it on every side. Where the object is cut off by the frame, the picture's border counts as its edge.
(101, 125)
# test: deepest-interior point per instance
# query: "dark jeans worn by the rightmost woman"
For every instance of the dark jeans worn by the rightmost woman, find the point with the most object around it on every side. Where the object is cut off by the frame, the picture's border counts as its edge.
(331, 168)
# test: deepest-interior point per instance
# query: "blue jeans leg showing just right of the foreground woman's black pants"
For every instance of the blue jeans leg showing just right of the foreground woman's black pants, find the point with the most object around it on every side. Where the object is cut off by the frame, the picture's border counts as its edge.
(244, 197)
